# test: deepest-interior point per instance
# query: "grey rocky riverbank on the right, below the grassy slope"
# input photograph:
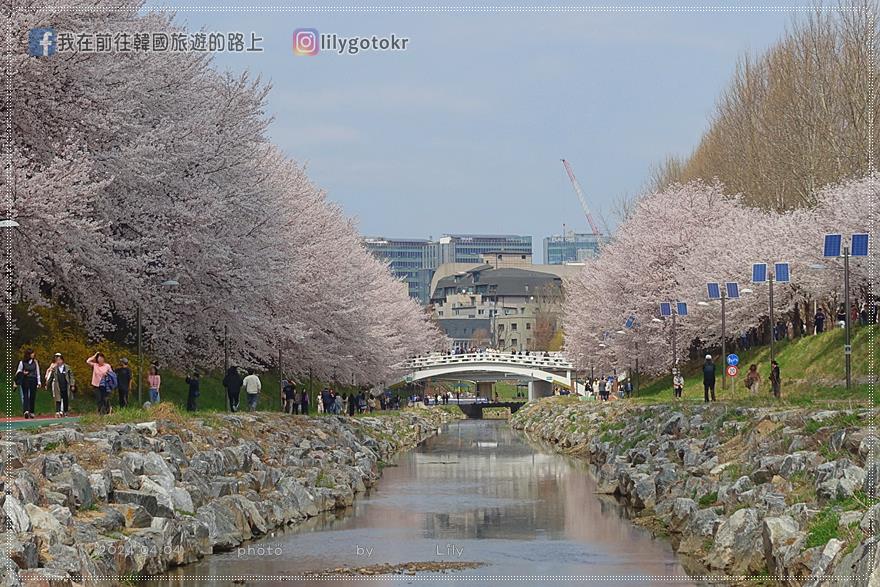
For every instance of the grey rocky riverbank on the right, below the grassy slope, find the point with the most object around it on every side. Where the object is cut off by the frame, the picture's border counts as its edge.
(744, 493)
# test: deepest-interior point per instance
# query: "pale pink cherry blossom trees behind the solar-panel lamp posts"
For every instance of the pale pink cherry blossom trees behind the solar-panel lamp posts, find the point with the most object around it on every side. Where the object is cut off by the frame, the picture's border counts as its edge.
(685, 236)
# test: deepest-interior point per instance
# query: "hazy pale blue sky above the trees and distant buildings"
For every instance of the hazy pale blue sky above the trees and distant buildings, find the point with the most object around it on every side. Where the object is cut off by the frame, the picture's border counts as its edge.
(463, 131)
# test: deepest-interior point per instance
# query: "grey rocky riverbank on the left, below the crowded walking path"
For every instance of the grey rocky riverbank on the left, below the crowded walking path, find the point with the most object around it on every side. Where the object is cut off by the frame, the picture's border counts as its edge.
(118, 502)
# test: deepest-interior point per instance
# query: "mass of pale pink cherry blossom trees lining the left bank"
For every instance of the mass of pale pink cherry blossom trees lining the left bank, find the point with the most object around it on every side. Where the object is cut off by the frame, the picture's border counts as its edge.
(130, 170)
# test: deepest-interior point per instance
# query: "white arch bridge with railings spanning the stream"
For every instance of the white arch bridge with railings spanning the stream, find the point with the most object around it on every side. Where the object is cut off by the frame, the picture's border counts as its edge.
(541, 371)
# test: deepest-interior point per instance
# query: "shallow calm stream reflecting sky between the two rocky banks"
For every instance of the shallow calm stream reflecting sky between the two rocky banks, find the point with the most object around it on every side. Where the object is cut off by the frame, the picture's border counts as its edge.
(477, 492)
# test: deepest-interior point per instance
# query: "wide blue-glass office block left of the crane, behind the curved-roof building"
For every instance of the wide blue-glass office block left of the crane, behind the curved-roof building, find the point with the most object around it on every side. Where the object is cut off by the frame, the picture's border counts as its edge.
(414, 260)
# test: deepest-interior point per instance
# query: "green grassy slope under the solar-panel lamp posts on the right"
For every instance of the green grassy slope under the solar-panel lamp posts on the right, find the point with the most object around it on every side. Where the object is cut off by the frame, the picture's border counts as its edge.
(811, 367)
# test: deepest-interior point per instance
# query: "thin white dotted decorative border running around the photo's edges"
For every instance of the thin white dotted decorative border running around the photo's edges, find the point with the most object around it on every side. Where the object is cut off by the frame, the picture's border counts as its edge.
(9, 144)
